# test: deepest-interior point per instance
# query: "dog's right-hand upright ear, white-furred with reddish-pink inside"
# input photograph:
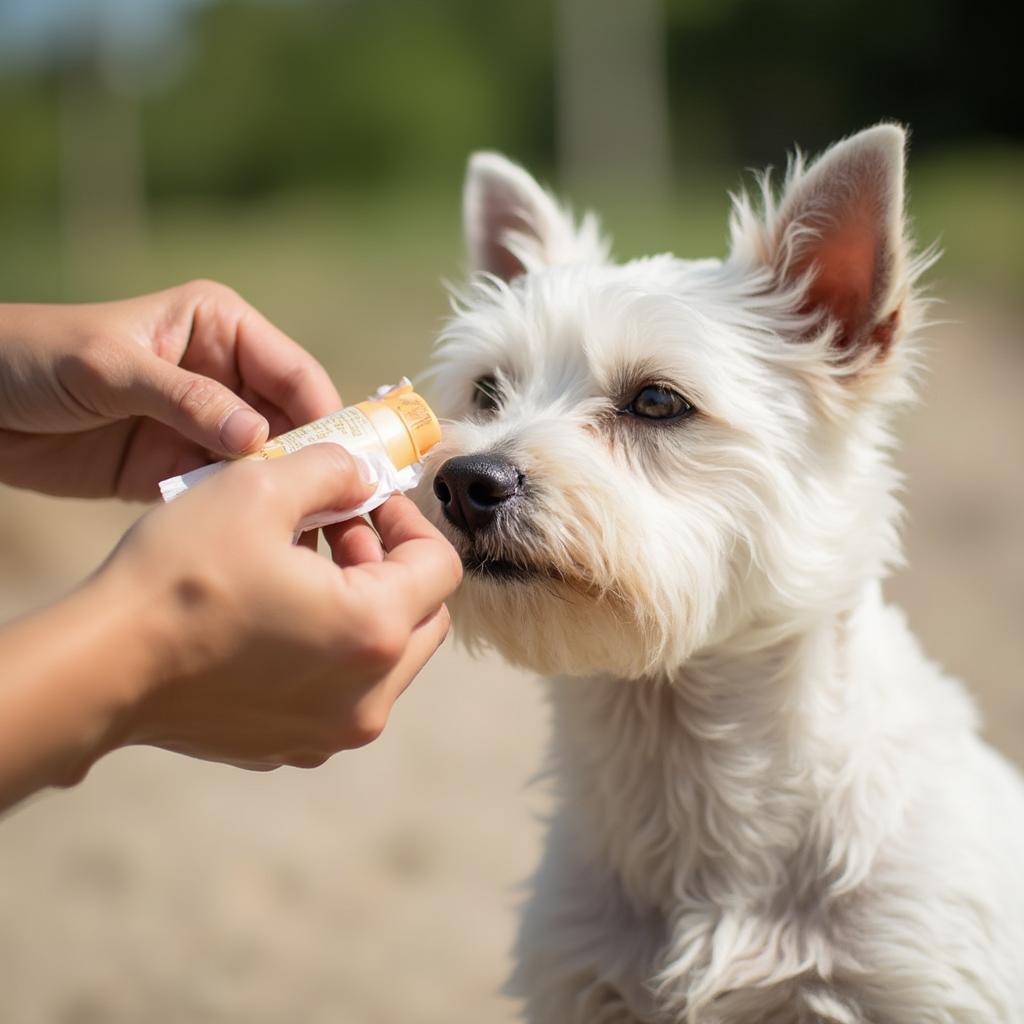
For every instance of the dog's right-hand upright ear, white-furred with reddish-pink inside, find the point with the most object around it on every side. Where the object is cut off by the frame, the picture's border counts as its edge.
(839, 231)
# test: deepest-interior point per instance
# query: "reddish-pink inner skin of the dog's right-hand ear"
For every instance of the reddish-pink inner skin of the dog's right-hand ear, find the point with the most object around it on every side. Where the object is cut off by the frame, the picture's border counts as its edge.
(847, 266)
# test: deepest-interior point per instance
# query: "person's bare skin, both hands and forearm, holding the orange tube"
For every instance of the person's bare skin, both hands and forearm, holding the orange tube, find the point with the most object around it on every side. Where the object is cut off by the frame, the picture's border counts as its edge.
(207, 631)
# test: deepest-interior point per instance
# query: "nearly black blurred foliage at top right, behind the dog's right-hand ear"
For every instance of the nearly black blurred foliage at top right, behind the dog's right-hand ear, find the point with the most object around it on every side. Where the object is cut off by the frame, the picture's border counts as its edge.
(763, 74)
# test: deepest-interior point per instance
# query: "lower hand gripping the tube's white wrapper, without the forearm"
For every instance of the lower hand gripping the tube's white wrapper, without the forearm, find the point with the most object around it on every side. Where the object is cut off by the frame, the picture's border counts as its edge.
(261, 652)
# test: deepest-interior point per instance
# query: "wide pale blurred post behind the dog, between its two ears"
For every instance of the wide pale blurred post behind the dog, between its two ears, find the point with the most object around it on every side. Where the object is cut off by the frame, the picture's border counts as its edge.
(613, 95)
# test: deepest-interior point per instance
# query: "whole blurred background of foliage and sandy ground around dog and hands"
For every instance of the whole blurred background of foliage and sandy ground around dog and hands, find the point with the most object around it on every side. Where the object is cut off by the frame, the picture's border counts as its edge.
(311, 155)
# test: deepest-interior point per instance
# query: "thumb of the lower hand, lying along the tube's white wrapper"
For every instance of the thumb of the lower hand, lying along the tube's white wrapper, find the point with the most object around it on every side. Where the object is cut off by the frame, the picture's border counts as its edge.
(318, 479)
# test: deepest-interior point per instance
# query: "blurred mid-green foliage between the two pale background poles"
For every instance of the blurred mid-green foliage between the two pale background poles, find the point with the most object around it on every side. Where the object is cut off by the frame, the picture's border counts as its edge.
(348, 95)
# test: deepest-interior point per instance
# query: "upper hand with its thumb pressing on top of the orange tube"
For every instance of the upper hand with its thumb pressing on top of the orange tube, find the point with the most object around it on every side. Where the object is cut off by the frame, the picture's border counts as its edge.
(110, 399)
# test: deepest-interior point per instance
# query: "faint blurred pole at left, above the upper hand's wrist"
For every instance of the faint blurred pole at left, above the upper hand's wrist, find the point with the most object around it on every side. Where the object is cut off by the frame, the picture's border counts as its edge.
(103, 190)
